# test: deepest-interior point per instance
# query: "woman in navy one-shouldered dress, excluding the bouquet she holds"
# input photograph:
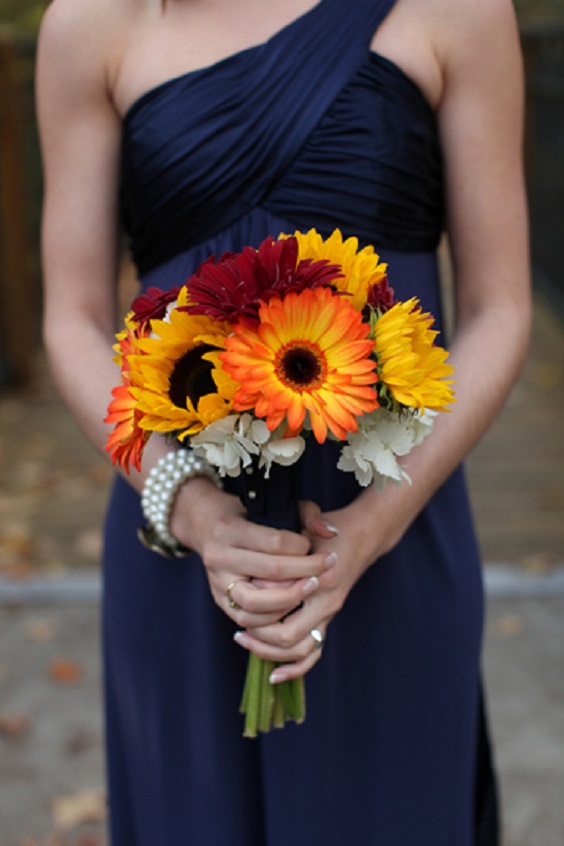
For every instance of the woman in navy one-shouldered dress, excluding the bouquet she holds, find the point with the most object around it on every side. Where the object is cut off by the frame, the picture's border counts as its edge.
(207, 126)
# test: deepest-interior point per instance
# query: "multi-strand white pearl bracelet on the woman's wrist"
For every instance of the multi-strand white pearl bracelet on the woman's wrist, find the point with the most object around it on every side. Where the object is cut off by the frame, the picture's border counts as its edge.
(159, 492)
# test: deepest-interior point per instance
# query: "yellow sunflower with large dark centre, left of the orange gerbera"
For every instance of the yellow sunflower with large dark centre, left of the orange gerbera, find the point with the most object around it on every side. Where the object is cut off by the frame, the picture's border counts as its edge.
(177, 380)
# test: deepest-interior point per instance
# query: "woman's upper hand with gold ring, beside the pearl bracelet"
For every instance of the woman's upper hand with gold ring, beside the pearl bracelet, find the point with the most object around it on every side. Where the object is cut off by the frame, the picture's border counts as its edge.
(236, 552)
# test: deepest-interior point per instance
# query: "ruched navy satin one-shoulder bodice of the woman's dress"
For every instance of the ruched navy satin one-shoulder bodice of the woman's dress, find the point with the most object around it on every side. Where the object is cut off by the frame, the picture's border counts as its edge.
(270, 128)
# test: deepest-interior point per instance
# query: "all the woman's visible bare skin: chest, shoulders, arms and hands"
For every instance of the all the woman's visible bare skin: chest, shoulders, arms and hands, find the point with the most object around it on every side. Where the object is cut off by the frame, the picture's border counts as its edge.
(94, 61)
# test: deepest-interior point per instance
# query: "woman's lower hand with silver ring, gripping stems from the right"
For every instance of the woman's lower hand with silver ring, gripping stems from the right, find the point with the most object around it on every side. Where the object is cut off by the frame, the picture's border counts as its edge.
(296, 642)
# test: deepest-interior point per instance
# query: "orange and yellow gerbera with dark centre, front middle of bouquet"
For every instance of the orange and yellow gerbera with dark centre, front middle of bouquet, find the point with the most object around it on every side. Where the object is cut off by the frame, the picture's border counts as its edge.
(309, 353)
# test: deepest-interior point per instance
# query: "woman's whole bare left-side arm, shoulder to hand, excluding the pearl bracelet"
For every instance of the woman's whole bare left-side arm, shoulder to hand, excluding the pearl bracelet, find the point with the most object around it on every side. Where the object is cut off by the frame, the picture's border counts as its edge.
(80, 134)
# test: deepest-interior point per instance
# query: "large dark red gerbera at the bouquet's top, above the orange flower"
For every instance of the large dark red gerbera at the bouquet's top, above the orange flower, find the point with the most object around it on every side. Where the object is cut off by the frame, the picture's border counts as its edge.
(236, 285)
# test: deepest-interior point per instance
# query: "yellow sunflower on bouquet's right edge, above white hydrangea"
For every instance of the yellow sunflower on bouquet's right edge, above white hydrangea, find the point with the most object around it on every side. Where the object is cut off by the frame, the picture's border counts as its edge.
(410, 365)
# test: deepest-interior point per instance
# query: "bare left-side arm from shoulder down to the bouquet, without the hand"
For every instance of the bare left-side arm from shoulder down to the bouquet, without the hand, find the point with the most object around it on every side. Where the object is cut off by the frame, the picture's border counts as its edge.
(80, 142)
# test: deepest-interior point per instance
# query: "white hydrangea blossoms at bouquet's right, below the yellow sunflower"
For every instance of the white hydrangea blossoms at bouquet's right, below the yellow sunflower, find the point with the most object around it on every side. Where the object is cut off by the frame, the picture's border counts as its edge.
(372, 453)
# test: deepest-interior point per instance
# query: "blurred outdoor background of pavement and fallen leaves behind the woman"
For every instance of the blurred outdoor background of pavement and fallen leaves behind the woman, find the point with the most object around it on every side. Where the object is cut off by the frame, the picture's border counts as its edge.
(53, 489)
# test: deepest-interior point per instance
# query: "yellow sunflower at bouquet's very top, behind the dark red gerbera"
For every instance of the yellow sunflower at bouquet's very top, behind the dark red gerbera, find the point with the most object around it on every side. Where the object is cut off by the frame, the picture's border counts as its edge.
(362, 269)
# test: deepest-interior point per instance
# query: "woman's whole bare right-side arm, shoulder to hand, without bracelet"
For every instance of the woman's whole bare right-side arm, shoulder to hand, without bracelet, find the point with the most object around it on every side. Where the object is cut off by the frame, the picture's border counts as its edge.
(480, 118)
